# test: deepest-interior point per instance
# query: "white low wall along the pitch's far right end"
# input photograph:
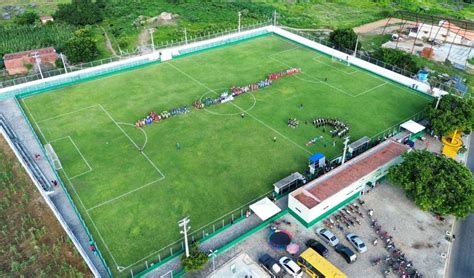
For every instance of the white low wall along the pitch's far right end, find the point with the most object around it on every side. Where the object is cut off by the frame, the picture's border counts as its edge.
(404, 80)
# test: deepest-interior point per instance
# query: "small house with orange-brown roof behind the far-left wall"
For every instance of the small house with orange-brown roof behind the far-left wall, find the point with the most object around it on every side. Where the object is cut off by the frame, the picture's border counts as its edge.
(16, 63)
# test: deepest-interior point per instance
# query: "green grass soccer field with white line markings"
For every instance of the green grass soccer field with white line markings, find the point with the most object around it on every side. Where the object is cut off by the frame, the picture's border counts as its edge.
(132, 200)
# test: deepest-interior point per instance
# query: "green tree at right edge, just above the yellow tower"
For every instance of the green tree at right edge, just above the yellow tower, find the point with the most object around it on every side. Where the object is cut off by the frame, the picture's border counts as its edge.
(453, 113)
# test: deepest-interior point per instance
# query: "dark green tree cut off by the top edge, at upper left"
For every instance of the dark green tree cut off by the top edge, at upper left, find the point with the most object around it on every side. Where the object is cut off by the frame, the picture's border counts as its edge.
(80, 12)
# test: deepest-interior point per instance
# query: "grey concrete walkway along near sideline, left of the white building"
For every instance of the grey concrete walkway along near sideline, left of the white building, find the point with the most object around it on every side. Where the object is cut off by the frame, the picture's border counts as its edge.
(216, 242)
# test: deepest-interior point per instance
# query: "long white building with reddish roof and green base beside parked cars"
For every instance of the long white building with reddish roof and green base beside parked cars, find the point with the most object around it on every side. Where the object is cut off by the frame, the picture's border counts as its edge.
(319, 198)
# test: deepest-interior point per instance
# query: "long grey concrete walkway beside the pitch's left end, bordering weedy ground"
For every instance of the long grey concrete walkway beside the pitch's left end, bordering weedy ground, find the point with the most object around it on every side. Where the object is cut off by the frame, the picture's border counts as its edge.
(14, 116)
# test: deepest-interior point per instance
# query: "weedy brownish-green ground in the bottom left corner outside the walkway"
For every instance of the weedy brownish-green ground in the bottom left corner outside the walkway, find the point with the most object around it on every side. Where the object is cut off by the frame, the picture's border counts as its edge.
(32, 242)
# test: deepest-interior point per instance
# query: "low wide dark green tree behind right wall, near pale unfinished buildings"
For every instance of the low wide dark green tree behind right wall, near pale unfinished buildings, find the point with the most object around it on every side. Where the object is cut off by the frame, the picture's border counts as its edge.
(397, 58)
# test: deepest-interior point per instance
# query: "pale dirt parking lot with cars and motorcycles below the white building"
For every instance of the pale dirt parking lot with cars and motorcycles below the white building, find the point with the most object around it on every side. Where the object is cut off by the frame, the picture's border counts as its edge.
(417, 234)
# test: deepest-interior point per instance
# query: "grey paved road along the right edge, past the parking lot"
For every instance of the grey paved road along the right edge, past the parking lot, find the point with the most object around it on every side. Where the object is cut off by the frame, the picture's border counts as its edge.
(462, 256)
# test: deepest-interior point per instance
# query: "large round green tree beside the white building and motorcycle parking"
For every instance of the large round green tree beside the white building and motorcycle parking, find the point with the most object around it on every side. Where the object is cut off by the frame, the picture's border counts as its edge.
(435, 183)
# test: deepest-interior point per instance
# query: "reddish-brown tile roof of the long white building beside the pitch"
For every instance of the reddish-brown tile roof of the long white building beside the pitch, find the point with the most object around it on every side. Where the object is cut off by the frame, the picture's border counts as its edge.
(345, 175)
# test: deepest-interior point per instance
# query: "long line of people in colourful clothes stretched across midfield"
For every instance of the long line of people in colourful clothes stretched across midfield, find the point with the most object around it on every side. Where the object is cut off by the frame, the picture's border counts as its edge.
(224, 97)
